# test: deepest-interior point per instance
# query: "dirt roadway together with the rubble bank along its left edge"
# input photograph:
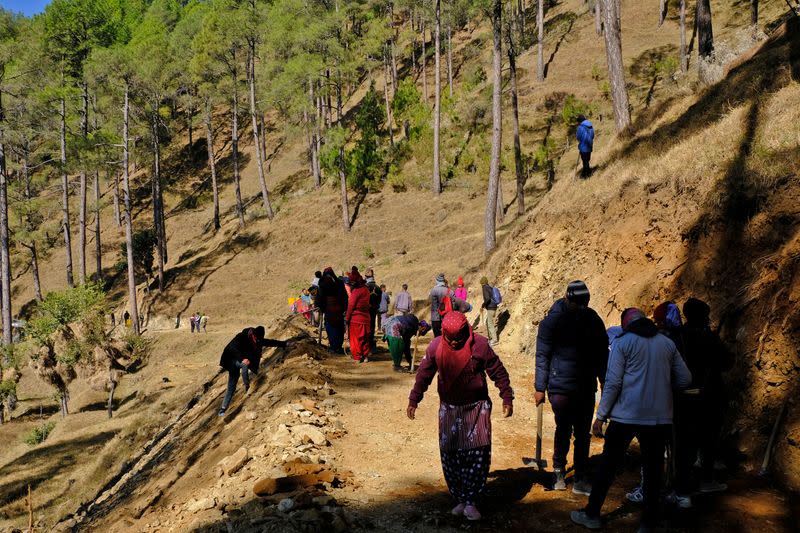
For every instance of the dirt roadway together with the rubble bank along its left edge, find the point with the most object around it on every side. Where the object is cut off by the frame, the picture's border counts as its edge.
(322, 443)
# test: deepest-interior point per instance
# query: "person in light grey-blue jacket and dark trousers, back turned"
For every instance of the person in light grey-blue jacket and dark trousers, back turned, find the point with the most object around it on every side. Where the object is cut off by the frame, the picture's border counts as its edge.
(643, 369)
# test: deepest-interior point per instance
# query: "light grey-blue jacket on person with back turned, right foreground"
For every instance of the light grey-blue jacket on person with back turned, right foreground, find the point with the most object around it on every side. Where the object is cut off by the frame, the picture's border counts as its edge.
(643, 369)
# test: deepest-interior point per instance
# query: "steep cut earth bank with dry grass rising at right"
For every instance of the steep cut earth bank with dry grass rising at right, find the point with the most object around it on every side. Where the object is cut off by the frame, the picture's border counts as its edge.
(703, 201)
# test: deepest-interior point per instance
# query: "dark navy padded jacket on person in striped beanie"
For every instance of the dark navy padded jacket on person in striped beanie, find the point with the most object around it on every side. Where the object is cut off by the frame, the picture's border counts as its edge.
(571, 350)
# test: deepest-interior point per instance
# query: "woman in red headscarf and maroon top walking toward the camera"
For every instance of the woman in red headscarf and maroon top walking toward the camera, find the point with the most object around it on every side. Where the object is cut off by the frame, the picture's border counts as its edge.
(462, 360)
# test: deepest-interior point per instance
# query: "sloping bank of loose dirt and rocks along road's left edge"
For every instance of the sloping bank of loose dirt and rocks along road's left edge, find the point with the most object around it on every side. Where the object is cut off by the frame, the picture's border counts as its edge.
(202, 469)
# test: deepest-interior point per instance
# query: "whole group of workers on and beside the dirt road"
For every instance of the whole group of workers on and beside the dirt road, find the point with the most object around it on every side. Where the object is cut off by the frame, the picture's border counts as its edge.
(661, 383)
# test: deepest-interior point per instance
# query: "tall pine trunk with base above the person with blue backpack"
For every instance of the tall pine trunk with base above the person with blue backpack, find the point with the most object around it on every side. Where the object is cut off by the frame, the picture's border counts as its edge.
(490, 239)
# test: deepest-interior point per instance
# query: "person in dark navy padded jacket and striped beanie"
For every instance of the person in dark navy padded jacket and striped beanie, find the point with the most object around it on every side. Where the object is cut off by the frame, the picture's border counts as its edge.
(571, 356)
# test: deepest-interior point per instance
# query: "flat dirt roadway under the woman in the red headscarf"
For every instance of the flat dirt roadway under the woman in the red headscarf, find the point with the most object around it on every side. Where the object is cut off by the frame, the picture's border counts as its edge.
(399, 484)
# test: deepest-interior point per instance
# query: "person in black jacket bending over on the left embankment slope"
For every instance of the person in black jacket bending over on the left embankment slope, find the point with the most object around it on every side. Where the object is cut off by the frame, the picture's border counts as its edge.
(241, 356)
